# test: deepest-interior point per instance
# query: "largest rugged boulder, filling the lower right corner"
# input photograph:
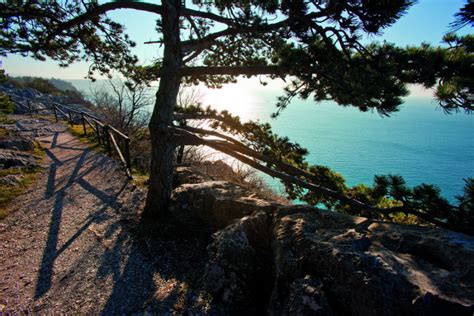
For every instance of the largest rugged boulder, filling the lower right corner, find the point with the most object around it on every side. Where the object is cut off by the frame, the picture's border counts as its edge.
(366, 267)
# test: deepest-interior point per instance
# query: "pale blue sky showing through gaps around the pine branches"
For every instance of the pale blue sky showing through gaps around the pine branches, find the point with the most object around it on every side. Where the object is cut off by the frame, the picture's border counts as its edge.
(426, 21)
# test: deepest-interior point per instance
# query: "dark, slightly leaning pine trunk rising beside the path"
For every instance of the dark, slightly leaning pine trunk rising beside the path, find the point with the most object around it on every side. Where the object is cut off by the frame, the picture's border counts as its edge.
(161, 173)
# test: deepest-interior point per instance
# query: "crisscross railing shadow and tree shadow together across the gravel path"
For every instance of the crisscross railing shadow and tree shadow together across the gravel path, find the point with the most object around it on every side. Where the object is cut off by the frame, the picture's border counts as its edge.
(132, 264)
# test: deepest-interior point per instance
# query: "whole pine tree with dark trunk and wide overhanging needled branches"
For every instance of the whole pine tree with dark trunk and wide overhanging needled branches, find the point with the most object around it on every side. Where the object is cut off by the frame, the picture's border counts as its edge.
(317, 44)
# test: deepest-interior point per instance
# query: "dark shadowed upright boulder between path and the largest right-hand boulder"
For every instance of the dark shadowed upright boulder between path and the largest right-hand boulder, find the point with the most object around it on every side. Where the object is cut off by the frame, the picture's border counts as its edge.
(238, 266)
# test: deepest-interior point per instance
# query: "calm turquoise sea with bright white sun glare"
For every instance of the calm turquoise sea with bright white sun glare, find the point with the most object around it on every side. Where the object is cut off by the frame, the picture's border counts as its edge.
(420, 142)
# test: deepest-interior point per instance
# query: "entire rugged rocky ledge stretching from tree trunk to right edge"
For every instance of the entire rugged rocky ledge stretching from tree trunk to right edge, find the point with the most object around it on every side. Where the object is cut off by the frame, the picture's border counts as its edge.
(281, 260)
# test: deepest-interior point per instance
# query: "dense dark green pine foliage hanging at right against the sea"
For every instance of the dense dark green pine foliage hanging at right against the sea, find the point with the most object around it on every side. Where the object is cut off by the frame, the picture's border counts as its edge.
(376, 79)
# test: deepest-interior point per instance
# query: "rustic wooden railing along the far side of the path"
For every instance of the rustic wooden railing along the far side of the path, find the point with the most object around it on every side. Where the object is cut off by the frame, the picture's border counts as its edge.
(106, 135)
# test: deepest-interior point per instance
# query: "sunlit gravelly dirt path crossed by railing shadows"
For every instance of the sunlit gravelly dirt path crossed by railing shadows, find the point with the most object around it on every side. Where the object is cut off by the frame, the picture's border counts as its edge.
(69, 247)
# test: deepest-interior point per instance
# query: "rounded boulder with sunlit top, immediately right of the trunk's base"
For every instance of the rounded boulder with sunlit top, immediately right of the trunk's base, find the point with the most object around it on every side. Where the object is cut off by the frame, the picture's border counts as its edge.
(212, 205)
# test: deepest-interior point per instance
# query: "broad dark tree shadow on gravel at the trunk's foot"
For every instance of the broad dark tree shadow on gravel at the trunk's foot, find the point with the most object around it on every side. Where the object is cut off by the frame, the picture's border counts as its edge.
(159, 273)
